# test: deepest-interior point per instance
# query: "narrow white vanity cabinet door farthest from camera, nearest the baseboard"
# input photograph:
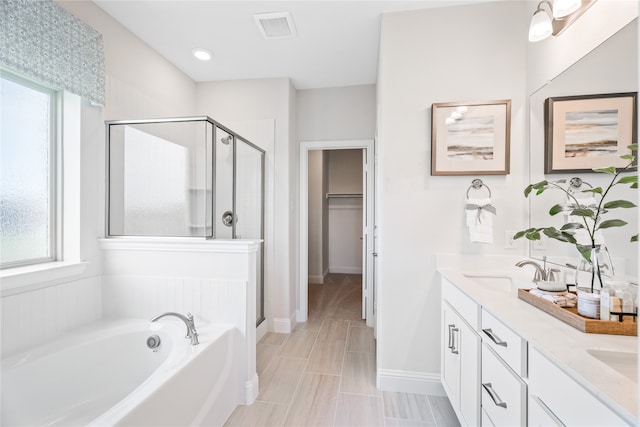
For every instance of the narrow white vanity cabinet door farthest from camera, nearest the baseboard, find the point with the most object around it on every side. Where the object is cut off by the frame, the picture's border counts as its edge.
(450, 354)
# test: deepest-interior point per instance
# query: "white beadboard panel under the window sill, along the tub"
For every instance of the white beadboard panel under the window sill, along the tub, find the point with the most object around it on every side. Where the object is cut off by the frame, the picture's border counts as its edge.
(35, 317)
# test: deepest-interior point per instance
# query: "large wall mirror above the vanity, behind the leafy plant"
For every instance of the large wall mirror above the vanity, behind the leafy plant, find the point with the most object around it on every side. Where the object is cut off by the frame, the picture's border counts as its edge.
(611, 67)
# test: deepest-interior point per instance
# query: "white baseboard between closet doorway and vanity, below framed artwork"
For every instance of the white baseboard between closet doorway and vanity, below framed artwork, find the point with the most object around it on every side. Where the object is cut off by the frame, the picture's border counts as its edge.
(409, 382)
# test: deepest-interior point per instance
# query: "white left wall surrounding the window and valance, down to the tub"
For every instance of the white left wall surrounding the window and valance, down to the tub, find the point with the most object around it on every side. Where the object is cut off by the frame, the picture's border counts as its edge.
(139, 83)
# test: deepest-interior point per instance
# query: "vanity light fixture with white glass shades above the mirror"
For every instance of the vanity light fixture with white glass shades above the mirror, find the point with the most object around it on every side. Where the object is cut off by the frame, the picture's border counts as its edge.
(552, 18)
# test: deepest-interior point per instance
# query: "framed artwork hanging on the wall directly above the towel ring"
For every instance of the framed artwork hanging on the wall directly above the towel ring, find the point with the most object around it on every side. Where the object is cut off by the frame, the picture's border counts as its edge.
(470, 138)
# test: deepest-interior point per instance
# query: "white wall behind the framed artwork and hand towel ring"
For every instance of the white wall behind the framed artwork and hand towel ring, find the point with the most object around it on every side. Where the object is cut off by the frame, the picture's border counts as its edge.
(465, 53)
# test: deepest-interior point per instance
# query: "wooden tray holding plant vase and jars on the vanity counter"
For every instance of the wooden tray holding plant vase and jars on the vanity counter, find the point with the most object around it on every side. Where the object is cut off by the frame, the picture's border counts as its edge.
(584, 324)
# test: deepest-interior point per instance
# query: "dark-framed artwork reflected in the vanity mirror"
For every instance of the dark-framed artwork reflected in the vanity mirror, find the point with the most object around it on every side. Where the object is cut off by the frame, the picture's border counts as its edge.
(587, 132)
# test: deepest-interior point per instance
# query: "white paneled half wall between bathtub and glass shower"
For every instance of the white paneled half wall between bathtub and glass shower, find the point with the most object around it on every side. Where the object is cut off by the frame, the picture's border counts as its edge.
(215, 280)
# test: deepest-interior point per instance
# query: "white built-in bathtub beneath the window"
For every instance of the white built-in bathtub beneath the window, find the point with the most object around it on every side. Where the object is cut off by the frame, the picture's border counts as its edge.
(105, 375)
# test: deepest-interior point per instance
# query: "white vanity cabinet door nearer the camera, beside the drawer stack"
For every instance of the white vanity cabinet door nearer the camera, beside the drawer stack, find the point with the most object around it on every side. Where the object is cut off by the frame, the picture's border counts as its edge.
(470, 345)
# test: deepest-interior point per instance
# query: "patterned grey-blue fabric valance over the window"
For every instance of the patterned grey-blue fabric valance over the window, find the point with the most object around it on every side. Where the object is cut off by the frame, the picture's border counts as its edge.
(43, 41)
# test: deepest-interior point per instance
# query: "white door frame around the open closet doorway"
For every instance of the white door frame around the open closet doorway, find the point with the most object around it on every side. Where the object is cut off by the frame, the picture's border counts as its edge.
(365, 147)
